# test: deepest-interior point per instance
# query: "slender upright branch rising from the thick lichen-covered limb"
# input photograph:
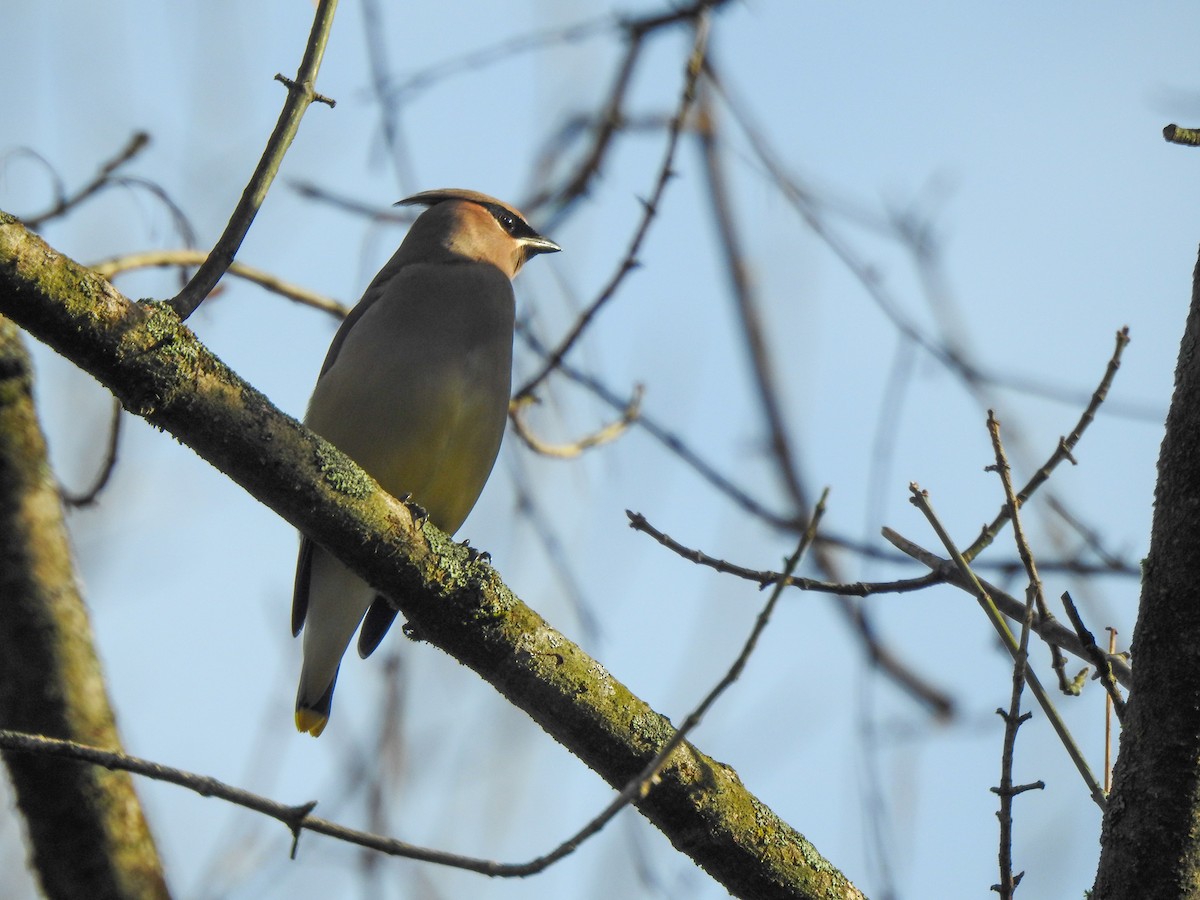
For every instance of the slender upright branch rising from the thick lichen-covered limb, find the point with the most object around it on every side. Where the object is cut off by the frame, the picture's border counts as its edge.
(301, 97)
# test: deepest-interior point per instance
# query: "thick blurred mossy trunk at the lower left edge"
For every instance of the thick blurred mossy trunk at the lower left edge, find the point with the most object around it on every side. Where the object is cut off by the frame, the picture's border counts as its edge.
(88, 836)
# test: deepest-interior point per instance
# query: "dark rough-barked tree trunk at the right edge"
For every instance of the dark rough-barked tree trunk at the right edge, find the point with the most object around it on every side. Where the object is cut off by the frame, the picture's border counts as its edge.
(1151, 835)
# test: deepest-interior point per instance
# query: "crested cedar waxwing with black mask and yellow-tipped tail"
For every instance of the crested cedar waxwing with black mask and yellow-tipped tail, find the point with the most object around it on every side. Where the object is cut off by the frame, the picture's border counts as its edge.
(415, 389)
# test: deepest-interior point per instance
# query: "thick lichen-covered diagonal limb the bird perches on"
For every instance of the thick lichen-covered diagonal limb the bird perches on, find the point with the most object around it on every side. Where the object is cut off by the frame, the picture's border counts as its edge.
(453, 598)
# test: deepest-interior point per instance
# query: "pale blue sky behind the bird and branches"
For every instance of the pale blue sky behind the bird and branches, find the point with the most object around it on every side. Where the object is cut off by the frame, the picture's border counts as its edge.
(1029, 140)
